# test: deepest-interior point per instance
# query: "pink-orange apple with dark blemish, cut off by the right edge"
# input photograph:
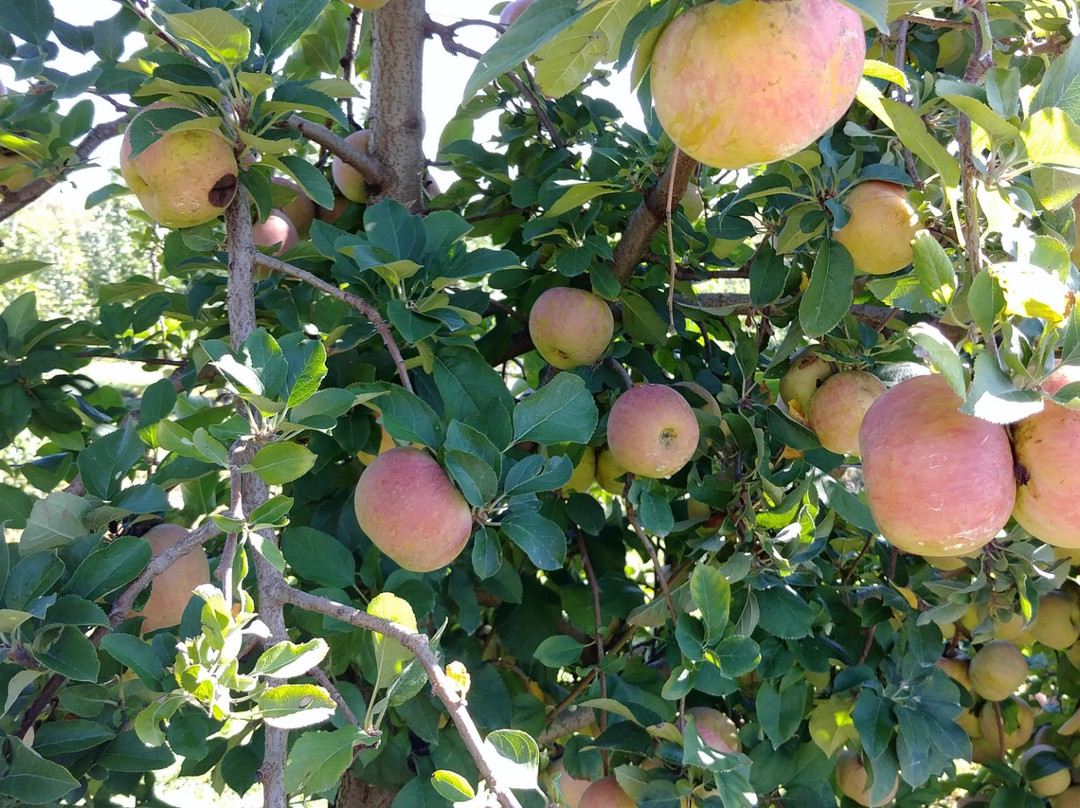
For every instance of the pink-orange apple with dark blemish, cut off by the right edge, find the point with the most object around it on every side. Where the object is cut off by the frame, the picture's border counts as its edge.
(1047, 446)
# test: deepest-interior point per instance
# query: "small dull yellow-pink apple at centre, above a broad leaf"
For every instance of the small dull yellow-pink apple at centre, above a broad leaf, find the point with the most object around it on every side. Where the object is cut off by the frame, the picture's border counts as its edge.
(571, 328)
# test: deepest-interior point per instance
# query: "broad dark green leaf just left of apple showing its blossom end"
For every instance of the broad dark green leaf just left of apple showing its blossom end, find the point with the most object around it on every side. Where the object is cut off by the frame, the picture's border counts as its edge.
(561, 412)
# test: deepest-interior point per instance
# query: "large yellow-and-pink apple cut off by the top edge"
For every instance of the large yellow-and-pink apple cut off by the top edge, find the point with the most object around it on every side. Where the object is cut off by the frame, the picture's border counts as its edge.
(727, 107)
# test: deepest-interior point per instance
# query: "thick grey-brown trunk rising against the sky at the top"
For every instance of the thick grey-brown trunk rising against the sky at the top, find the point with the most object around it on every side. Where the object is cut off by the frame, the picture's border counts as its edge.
(397, 117)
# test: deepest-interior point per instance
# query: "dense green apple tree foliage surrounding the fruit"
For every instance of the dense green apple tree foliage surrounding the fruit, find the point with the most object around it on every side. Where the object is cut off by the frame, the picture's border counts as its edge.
(780, 602)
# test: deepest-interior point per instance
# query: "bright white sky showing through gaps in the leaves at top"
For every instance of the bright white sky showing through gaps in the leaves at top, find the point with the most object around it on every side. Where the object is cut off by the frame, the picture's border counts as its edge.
(445, 77)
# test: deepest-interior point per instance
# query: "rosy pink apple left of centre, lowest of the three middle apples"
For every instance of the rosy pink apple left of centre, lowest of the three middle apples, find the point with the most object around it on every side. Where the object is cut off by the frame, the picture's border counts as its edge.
(411, 510)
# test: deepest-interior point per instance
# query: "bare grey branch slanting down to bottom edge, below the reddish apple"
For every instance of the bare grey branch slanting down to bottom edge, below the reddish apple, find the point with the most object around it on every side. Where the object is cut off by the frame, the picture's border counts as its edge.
(417, 643)
